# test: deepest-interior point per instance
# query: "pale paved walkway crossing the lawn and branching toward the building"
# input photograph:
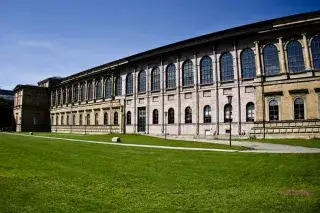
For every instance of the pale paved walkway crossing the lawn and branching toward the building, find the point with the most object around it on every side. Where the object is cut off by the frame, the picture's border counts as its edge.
(258, 147)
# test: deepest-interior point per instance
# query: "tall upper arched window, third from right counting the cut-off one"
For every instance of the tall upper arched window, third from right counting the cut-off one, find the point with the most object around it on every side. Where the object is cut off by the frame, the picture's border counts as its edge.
(271, 60)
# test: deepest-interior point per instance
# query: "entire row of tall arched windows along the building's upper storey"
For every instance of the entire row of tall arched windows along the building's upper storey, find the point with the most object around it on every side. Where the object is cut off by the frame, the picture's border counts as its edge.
(271, 65)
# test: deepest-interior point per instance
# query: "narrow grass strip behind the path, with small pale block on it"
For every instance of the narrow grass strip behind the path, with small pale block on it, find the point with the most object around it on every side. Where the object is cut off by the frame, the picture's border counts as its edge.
(141, 139)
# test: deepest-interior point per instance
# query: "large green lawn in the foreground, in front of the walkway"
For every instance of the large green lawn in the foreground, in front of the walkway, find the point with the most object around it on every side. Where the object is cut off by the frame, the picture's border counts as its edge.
(44, 175)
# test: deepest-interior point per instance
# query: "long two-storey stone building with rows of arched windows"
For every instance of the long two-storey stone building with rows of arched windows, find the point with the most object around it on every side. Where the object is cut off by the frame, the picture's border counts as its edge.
(270, 68)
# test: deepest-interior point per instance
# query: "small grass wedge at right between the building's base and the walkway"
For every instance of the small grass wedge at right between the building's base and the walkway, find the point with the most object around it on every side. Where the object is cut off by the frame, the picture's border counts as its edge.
(315, 143)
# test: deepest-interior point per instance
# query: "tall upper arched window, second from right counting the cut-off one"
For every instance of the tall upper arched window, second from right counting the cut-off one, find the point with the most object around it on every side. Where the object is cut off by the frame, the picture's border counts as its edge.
(295, 57)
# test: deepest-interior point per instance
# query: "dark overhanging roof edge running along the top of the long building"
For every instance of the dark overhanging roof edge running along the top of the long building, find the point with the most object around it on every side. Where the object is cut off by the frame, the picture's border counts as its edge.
(192, 42)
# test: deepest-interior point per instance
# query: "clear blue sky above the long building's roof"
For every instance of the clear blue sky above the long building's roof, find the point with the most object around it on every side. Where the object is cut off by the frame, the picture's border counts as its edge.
(43, 38)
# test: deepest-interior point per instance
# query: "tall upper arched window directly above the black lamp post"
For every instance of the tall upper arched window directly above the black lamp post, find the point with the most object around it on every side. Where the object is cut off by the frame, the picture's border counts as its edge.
(226, 67)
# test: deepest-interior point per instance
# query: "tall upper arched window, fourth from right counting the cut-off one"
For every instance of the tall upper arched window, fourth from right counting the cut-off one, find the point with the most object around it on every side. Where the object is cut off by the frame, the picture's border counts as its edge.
(248, 65)
